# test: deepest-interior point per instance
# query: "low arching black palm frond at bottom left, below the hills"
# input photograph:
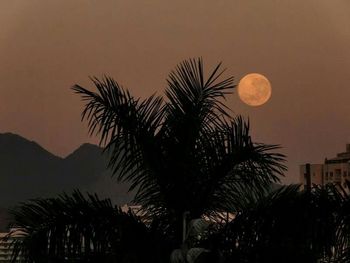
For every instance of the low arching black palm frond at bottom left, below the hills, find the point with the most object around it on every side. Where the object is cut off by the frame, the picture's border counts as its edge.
(76, 229)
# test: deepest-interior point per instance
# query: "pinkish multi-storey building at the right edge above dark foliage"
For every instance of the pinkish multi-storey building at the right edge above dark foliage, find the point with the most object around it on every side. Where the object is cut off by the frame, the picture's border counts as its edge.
(334, 171)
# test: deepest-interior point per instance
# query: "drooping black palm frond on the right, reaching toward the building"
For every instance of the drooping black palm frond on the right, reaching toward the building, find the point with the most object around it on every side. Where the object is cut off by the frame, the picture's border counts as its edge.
(230, 163)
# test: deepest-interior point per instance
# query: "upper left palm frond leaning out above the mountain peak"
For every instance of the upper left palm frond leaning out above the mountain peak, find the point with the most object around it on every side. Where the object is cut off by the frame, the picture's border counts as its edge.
(127, 126)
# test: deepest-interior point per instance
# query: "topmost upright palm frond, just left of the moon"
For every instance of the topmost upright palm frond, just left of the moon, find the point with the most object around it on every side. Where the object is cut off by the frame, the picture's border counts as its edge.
(195, 103)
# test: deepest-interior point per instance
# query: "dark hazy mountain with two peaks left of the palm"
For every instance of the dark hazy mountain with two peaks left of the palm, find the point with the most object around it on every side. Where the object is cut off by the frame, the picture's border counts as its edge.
(29, 171)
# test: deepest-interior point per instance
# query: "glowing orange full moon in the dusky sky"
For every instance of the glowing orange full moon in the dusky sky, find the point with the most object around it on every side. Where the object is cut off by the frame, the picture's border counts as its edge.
(254, 89)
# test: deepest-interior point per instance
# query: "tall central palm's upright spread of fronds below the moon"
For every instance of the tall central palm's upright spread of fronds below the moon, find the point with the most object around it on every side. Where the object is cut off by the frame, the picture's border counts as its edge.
(184, 154)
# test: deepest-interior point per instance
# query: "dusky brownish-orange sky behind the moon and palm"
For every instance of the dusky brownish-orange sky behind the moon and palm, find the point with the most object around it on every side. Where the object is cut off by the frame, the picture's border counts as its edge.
(301, 46)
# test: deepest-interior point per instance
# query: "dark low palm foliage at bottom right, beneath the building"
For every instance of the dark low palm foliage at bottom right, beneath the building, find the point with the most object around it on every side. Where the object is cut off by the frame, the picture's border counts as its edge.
(289, 225)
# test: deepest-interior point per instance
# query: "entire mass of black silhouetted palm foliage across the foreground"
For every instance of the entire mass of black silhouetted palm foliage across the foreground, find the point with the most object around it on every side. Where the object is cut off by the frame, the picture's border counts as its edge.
(188, 160)
